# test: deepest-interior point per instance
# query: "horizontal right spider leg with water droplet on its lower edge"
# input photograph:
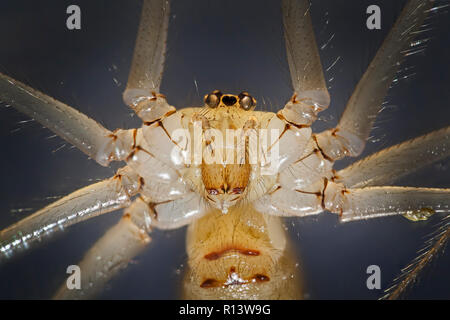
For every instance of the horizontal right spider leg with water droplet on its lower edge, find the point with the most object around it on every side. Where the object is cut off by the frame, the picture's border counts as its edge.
(356, 204)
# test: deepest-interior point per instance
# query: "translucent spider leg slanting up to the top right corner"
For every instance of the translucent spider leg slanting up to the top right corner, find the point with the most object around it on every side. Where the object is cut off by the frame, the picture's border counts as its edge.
(349, 137)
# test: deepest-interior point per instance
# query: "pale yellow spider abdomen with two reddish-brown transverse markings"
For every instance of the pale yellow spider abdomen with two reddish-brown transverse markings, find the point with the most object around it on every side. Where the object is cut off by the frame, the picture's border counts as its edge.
(240, 255)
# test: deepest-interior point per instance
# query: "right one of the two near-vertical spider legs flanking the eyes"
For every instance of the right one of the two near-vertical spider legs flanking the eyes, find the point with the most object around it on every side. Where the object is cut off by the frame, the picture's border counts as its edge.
(310, 92)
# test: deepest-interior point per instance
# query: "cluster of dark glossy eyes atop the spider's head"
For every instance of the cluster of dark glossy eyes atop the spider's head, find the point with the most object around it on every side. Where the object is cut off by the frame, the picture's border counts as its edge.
(217, 99)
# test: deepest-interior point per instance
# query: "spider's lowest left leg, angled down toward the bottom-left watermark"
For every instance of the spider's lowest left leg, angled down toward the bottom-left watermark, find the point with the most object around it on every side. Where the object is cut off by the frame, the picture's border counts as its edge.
(120, 244)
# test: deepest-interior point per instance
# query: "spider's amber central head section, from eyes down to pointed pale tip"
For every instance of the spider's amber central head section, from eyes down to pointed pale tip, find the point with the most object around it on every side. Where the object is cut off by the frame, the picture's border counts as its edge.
(225, 131)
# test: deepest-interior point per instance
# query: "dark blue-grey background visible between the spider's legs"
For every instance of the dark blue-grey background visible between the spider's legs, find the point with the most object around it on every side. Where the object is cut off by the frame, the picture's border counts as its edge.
(226, 45)
